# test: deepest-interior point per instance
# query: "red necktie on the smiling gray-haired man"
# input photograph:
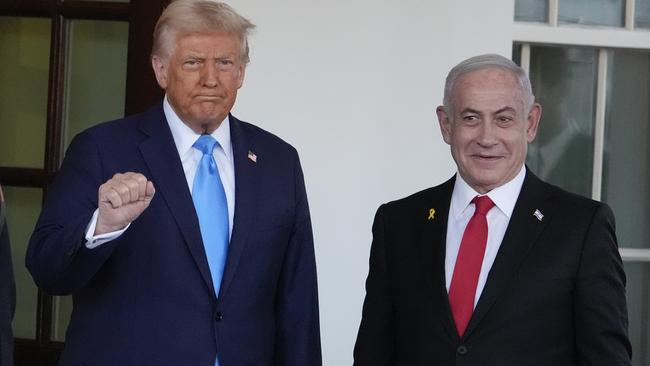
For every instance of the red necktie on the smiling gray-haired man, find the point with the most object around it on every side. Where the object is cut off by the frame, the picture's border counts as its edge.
(468, 264)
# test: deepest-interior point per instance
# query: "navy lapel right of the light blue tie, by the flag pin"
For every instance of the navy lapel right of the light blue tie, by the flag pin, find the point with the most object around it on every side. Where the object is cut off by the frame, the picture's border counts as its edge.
(246, 173)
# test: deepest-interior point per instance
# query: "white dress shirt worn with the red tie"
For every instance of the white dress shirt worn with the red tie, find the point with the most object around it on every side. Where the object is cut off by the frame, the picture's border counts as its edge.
(460, 212)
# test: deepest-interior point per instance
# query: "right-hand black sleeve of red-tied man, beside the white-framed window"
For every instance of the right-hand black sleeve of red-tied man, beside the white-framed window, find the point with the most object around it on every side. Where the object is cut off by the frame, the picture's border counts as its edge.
(600, 305)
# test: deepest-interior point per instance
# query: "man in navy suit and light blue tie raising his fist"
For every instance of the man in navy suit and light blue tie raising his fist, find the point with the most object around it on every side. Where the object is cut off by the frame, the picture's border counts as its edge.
(124, 228)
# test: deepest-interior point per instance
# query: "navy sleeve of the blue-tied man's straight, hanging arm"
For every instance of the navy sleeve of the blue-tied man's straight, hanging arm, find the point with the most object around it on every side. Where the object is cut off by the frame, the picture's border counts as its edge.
(297, 319)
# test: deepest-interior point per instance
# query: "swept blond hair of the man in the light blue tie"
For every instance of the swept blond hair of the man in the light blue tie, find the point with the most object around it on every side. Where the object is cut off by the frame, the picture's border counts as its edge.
(183, 17)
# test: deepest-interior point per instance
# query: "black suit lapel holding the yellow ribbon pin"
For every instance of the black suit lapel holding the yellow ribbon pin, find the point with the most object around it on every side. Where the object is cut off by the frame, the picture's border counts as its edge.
(433, 252)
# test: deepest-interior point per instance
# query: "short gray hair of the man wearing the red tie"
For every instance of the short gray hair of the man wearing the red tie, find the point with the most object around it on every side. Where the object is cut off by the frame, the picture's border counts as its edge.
(484, 62)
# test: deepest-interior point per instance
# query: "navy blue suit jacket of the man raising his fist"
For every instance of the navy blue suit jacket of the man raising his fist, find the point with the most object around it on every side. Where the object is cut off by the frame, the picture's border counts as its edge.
(147, 297)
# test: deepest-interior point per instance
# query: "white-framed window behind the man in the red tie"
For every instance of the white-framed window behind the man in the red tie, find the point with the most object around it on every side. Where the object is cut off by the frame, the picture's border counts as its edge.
(589, 63)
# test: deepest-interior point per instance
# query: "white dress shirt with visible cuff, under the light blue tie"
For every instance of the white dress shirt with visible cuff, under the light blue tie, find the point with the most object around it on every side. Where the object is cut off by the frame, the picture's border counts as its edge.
(184, 138)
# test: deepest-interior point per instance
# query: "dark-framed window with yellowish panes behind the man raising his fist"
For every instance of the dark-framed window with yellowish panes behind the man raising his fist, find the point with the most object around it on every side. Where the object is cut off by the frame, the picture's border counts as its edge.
(64, 69)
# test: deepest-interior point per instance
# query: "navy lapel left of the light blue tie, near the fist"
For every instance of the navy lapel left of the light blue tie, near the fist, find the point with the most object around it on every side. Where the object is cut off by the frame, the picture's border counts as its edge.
(160, 154)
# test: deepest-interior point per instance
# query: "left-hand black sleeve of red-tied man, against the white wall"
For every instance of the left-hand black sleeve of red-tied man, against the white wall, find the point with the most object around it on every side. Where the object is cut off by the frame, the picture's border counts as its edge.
(375, 344)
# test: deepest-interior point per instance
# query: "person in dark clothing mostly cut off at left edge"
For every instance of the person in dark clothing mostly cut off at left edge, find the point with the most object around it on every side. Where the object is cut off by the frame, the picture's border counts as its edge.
(7, 291)
